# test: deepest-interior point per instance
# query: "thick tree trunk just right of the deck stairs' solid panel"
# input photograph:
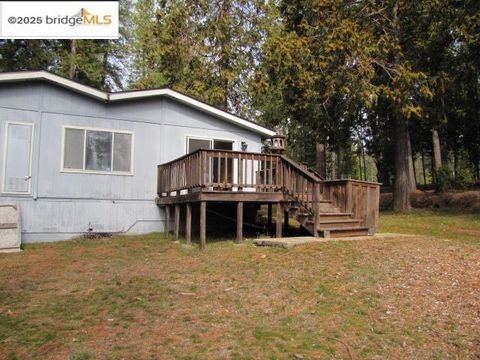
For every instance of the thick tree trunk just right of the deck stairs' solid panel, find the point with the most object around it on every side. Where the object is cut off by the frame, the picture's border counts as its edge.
(402, 185)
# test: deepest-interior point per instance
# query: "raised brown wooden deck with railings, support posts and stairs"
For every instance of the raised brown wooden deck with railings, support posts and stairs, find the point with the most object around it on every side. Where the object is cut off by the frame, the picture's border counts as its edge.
(324, 208)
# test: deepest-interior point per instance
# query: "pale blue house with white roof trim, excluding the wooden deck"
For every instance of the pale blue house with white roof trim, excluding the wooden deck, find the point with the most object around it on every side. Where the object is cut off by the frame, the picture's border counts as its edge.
(77, 159)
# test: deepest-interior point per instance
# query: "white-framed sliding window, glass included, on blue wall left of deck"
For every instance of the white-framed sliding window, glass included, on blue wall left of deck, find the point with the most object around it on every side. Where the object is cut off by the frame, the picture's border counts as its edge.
(100, 151)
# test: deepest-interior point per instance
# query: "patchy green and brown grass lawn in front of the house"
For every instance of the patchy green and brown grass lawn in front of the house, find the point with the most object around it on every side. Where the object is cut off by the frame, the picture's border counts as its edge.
(148, 298)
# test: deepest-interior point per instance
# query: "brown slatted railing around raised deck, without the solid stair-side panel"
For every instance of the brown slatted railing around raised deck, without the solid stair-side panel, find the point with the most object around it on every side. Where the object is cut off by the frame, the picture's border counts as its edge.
(224, 170)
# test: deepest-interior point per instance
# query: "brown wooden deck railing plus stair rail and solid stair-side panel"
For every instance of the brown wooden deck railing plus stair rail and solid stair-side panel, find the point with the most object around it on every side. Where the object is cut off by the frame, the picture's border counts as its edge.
(224, 170)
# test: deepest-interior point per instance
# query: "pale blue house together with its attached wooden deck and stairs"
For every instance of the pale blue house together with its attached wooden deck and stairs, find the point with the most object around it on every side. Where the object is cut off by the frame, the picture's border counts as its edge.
(77, 160)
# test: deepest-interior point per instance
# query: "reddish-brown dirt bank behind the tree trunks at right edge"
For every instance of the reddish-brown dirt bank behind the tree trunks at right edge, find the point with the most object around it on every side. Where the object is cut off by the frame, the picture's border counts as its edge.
(465, 200)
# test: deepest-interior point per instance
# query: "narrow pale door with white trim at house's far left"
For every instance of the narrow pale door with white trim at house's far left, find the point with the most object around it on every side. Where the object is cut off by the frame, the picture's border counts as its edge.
(18, 158)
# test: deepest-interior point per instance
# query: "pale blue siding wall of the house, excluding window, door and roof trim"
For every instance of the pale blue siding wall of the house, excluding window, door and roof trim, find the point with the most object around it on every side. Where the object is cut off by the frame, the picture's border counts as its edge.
(64, 205)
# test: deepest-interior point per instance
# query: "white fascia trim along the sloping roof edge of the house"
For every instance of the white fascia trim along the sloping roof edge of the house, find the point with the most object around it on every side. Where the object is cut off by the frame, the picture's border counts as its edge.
(128, 95)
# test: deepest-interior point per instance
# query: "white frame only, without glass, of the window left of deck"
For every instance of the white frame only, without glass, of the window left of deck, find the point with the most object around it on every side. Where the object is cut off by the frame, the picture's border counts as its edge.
(85, 171)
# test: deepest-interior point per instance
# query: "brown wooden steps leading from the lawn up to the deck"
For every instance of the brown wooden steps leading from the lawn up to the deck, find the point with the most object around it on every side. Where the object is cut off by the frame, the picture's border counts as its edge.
(331, 221)
